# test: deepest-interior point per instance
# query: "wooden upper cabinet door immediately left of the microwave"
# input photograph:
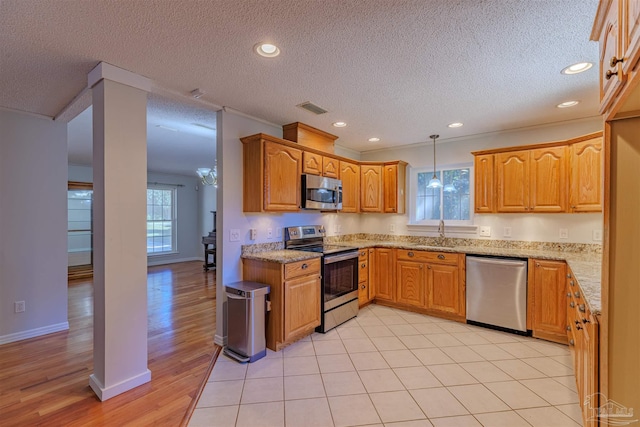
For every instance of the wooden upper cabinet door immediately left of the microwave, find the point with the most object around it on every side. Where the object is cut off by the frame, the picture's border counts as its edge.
(282, 169)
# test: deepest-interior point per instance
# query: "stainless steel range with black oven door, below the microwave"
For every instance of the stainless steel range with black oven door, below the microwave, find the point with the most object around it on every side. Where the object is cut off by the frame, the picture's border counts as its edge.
(339, 273)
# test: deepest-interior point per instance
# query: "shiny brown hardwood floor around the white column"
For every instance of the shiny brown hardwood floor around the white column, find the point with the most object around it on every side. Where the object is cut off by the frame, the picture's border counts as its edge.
(45, 380)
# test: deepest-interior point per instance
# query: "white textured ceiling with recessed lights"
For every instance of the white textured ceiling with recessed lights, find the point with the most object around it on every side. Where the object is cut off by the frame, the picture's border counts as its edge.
(399, 70)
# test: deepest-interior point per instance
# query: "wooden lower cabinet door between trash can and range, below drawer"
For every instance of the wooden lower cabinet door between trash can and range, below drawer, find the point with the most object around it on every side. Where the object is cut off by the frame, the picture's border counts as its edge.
(301, 305)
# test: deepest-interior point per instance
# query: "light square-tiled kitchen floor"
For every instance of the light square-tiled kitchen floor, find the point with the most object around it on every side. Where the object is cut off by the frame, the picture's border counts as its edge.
(389, 367)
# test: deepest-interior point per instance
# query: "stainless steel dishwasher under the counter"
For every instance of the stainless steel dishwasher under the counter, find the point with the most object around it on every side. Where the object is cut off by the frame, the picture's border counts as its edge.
(497, 293)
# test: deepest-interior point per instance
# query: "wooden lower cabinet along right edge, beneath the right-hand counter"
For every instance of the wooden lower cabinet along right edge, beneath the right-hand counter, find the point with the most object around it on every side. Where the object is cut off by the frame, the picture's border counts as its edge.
(583, 336)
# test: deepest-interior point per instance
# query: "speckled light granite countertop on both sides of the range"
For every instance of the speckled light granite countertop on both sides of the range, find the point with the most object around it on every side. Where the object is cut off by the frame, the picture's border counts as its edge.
(586, 267)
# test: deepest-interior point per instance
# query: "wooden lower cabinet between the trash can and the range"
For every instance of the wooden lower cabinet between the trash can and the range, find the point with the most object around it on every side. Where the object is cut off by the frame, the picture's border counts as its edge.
(294, 297)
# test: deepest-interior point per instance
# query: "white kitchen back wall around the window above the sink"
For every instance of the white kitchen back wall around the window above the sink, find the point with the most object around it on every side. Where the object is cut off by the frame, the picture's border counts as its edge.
(536, 227)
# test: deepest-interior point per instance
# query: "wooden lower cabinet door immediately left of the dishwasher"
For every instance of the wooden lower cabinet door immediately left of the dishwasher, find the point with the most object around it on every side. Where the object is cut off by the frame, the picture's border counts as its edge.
(443, 288)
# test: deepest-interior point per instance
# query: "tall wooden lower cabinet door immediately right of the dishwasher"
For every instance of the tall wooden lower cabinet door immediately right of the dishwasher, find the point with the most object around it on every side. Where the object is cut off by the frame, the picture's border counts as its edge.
(549, 300)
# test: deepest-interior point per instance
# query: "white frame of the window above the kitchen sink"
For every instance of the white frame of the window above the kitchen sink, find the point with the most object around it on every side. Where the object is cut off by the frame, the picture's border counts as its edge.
(413, 194)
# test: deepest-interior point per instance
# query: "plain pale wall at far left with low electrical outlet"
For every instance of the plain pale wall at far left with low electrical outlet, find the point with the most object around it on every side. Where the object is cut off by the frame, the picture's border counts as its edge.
(33, 225)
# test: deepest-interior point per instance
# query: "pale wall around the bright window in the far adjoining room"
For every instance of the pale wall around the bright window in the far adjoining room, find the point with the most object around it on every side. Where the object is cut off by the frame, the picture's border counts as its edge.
(189, 234)
